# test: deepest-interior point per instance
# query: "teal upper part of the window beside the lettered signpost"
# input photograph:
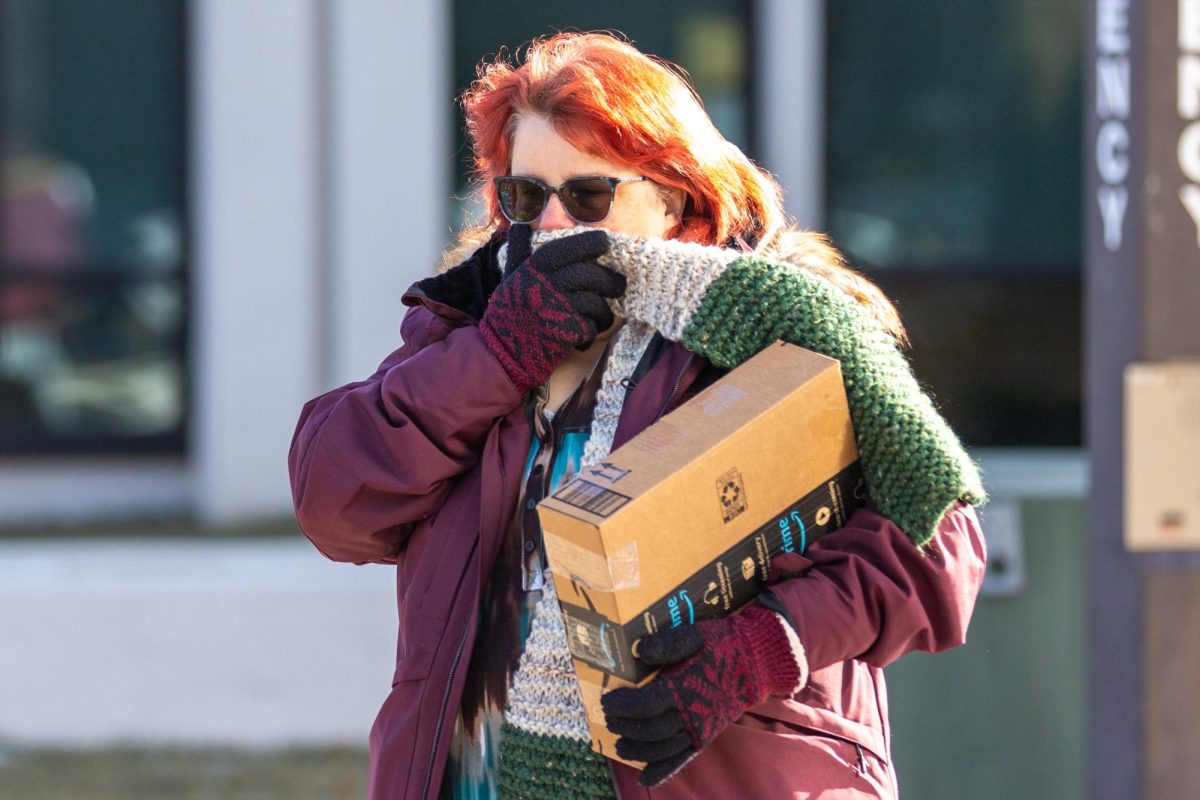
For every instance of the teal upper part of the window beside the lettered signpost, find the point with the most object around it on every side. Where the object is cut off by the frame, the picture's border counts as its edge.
(955, 134)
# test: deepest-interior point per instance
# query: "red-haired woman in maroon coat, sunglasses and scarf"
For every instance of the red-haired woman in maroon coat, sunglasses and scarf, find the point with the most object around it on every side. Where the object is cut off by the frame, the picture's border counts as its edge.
(608, 188)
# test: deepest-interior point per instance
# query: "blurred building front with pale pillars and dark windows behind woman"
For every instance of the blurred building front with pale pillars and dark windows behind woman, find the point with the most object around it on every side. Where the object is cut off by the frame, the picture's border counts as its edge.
(211, 210)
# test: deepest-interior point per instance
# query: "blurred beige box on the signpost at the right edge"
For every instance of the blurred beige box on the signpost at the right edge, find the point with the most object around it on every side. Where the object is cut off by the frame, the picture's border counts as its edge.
(1162, 444)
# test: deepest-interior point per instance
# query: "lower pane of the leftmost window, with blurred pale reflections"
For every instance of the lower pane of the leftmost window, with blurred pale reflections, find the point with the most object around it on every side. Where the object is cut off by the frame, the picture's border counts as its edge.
(99, 358)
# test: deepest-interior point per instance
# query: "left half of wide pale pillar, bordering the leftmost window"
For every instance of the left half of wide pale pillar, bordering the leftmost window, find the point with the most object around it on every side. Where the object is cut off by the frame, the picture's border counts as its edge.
(256, 232)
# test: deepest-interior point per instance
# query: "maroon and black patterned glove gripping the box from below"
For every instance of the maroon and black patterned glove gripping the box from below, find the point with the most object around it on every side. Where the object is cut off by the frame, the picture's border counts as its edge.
(721, 669)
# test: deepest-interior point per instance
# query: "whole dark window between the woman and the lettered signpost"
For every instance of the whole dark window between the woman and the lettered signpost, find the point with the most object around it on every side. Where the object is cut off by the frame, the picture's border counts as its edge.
(953, 179)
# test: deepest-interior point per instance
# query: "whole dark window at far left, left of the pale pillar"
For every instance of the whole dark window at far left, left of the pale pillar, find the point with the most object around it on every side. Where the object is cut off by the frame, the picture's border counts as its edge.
(93, 292)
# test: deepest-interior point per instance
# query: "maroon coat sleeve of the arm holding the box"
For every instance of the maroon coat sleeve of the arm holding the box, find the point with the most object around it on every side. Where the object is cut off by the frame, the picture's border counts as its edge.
(867, 592)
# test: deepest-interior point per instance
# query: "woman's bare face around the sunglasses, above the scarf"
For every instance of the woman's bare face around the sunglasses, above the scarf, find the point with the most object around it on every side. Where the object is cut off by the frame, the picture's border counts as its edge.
(639, 209)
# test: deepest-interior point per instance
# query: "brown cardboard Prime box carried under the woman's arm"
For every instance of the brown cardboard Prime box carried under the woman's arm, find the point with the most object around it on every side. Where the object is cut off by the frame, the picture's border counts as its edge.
(681, 524)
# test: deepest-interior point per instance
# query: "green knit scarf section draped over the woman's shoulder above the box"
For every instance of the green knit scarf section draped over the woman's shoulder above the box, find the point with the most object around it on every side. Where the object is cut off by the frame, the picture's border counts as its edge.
(915, 466)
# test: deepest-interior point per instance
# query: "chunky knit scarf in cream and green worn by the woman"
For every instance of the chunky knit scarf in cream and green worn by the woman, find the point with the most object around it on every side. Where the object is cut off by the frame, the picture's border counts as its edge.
(728, 306)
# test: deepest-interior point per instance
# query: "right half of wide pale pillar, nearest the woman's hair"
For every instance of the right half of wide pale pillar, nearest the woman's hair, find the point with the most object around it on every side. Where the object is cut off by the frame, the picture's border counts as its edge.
(388, 160)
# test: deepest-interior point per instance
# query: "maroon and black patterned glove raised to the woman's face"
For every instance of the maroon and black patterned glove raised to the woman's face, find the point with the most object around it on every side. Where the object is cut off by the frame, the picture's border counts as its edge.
(549, 302)
